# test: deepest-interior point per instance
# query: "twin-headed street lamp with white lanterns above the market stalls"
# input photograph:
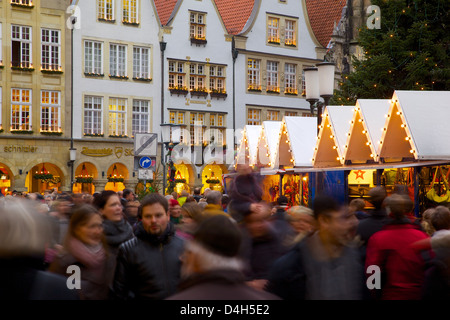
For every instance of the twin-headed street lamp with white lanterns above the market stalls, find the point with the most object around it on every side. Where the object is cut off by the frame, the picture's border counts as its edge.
(319, 83)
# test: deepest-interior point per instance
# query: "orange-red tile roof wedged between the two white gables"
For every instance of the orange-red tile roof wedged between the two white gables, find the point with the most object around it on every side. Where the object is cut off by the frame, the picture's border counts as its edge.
(235, 13)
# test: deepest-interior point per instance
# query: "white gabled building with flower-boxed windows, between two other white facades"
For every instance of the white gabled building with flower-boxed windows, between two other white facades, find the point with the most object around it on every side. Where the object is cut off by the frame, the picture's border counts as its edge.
(197, 90)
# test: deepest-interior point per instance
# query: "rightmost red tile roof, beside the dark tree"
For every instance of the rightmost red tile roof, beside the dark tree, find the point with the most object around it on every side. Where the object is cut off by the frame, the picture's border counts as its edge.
(322, 16)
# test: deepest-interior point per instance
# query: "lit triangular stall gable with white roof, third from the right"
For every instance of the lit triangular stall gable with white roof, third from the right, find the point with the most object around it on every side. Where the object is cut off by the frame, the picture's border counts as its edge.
(333, 132)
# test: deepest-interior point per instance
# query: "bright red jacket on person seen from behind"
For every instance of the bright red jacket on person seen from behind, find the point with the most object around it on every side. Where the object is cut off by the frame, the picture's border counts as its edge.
(401, 266)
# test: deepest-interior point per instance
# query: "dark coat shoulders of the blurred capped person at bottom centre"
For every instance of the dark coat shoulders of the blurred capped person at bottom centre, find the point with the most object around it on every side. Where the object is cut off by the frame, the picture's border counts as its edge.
(219, 285)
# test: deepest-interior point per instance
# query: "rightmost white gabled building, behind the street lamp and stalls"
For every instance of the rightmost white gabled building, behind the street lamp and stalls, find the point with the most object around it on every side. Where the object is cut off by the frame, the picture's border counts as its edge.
(273, 46)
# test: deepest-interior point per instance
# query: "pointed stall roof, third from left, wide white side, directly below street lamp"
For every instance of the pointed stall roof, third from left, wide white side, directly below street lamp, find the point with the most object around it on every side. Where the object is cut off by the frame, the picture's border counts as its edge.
(297, 142)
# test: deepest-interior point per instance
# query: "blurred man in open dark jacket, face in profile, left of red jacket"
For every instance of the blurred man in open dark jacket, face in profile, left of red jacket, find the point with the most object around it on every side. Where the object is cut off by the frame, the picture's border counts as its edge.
(325, 265)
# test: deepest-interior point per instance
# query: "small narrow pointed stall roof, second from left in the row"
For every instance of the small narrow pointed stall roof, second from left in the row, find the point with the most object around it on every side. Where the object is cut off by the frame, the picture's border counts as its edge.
(268, 143)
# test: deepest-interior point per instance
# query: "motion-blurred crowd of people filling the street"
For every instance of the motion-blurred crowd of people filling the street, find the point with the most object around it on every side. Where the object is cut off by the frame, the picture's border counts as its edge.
(217, 246)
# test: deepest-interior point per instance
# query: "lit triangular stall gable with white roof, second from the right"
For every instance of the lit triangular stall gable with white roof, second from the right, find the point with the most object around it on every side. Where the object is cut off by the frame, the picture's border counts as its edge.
(365, 130)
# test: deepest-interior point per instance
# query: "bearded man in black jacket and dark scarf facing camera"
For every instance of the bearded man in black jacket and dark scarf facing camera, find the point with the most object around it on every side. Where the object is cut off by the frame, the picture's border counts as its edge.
(148, 266)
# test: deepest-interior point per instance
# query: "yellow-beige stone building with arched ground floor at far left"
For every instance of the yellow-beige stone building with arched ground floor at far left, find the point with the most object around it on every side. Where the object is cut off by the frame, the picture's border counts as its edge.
(34, 124)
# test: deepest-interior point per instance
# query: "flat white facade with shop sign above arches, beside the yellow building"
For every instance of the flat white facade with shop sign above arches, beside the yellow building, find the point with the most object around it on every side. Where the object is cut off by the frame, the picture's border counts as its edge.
(116, 71)
